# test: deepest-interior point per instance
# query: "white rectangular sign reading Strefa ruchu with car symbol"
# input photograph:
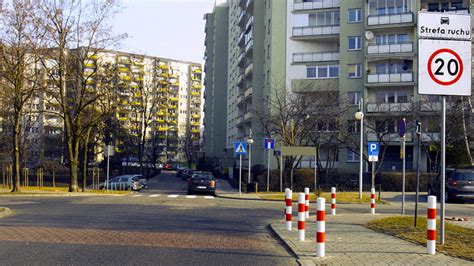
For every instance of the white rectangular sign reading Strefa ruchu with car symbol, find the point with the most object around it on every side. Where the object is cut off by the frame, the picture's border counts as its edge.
(433, 25)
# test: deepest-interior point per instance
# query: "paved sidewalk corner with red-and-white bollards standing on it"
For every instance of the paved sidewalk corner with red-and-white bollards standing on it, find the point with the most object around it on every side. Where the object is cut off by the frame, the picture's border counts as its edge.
(348, 242)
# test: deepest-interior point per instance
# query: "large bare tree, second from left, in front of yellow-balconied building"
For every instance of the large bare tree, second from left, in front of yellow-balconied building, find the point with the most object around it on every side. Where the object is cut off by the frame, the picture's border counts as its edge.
(76, 31)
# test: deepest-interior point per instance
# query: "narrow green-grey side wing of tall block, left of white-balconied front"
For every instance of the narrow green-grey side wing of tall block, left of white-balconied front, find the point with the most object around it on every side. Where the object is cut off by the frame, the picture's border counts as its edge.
(255, 66)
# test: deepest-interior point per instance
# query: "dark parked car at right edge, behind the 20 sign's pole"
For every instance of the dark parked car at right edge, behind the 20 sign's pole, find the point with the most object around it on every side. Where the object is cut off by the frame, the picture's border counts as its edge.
(459, 185)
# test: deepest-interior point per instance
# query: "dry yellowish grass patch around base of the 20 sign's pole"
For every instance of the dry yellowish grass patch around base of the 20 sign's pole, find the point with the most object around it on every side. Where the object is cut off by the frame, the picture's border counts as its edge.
(459, 241)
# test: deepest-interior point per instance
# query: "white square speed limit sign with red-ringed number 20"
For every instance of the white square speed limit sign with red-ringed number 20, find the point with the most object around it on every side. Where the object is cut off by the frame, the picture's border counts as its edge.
(444, 67)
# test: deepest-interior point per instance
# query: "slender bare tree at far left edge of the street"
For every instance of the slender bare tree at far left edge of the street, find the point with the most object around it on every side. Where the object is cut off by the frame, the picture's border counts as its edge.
(21, 37)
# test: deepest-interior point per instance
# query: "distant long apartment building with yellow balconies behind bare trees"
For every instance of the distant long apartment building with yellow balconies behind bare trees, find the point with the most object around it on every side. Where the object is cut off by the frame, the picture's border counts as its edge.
(164, 94)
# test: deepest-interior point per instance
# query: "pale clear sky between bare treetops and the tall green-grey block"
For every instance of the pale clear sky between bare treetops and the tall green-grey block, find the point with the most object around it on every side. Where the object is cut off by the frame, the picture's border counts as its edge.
(164, 28)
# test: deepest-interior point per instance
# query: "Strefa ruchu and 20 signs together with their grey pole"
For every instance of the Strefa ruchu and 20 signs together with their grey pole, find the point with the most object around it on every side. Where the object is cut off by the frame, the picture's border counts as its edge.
(444, 67)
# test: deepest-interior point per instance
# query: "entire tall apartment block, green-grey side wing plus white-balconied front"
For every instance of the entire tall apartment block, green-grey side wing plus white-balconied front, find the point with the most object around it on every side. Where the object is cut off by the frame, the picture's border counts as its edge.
(358, 48)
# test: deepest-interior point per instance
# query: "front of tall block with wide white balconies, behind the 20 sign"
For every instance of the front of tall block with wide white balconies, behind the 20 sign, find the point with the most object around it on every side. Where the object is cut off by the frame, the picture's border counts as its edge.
(366, 49)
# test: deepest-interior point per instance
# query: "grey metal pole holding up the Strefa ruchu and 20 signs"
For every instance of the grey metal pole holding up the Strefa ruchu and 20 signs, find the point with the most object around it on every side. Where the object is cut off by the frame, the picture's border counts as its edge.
(443, 169)
